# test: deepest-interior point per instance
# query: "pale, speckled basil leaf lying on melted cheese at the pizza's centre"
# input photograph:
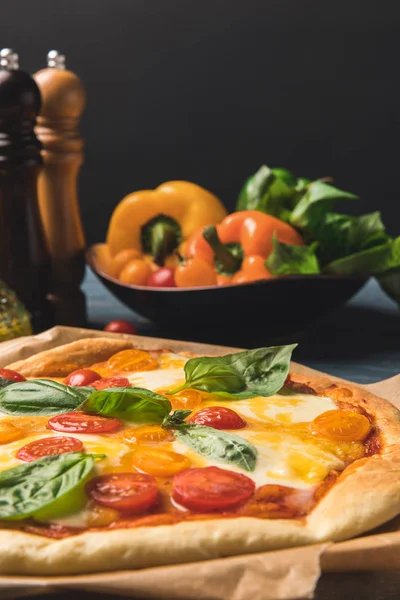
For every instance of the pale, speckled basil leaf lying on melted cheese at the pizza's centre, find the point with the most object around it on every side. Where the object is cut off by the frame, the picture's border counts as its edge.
(218, 445)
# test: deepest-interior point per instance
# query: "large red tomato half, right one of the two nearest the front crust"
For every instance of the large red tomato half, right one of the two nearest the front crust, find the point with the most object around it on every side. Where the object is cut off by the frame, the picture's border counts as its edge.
(211, 488)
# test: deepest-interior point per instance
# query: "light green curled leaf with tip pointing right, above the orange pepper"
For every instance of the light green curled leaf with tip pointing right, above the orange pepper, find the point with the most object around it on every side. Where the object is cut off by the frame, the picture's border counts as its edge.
(318, 199)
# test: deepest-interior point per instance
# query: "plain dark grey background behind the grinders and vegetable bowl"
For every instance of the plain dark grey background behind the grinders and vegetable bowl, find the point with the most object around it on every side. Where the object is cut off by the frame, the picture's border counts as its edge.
(208, 90)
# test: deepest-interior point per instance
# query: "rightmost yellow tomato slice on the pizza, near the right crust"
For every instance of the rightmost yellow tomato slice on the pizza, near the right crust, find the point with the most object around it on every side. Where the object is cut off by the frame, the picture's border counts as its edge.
(341, 425)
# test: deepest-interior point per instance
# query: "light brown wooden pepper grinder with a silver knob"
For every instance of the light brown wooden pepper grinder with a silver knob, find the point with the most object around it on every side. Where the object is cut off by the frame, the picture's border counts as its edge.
(63, 101)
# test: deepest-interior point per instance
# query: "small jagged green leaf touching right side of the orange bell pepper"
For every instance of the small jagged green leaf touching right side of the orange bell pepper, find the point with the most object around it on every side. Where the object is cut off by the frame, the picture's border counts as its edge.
(286, 259)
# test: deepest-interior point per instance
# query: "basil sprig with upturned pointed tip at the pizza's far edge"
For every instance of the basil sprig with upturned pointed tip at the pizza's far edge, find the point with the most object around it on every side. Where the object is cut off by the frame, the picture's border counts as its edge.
(260, 372)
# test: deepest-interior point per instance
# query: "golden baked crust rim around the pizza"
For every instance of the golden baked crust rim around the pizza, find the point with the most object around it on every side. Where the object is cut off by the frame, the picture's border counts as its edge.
(366, 494)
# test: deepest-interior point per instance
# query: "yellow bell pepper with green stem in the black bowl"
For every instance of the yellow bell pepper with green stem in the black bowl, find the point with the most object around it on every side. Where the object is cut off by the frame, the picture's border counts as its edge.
(156, 222)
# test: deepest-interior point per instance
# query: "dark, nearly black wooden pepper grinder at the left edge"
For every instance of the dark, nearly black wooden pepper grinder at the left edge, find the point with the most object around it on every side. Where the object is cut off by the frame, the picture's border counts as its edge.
(23, 254)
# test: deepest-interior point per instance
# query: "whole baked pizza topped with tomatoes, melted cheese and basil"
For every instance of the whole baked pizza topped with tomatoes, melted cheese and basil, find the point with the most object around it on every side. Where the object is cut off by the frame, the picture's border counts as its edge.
(117, 457)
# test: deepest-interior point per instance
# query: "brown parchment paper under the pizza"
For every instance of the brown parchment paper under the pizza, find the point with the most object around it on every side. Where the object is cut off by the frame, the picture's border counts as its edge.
(281, 575)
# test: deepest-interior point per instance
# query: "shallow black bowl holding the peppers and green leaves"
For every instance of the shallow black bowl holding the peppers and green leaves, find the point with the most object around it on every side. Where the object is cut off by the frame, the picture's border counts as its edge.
(281, 306)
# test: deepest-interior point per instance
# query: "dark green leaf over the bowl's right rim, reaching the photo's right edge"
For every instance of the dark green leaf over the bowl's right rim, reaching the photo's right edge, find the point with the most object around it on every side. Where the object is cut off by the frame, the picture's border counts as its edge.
(371, 261)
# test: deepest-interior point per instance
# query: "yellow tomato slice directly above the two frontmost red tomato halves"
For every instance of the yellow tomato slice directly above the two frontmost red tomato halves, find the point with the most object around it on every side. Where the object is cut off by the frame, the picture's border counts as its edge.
(160, 463)
